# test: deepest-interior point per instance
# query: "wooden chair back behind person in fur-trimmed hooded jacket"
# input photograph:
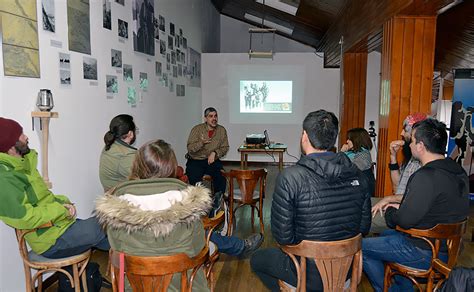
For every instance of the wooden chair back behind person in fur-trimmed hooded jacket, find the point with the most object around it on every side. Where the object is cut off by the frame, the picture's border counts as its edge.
(154, 273)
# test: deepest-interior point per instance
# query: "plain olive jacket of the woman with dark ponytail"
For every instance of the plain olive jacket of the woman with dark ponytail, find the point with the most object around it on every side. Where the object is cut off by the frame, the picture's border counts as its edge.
(115, 164)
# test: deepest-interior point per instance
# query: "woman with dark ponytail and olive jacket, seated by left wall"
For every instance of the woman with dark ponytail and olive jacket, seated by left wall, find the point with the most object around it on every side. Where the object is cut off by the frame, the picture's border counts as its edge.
(118, 154)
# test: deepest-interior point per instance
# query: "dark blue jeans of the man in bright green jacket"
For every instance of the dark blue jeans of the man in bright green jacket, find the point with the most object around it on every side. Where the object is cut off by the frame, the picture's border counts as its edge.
(79, 237)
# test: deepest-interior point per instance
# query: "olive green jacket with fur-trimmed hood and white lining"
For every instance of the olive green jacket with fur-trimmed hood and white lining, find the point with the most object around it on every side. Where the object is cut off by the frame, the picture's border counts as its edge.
(154, 217)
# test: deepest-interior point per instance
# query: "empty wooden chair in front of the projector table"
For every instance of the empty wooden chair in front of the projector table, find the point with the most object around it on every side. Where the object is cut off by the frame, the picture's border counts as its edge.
(245, 192)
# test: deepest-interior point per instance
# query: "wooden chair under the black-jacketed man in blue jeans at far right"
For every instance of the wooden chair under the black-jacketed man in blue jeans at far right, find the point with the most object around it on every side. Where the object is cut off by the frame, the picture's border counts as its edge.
(452, 233)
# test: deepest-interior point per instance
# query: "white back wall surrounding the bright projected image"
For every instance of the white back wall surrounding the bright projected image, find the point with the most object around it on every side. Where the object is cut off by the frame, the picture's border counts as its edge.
(321, 90)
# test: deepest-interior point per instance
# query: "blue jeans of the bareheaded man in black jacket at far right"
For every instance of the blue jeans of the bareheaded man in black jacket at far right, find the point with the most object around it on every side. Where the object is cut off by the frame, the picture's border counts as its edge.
(392, 246)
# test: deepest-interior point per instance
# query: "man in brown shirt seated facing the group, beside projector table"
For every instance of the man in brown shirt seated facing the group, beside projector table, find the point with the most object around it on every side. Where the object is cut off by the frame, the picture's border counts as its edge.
(207, 143)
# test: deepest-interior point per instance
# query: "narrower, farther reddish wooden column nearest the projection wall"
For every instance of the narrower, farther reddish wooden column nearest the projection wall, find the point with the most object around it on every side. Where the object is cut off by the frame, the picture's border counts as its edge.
(352, 109)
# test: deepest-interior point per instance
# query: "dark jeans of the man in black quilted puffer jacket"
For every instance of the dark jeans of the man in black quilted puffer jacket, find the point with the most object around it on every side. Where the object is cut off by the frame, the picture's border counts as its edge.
(272, 264)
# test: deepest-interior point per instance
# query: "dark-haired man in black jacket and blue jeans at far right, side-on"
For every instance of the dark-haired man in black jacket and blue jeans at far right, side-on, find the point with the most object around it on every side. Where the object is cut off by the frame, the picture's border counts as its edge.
(437, 193)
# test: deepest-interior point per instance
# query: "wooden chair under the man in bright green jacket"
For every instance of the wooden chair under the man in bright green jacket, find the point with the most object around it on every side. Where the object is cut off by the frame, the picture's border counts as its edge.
(32, 260)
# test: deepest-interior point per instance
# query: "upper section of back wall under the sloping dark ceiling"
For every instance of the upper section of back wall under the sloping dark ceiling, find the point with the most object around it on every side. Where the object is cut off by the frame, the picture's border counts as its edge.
(235, 39)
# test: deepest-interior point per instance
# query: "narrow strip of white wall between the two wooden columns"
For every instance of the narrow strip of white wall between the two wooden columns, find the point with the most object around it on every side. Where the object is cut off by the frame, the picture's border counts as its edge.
(372, 100)
